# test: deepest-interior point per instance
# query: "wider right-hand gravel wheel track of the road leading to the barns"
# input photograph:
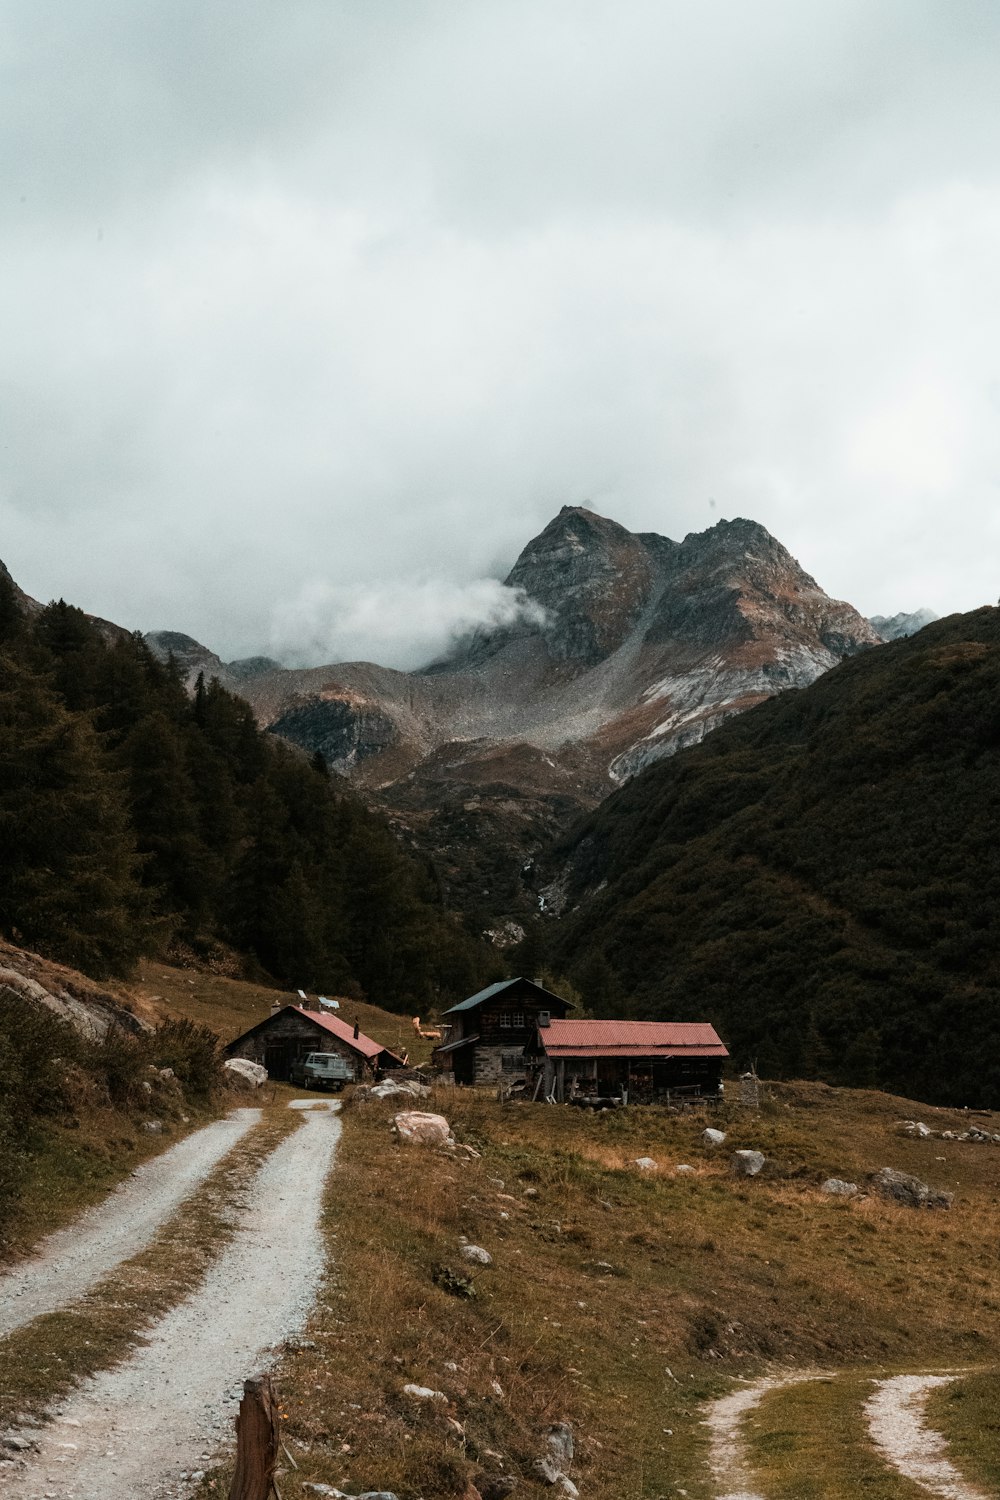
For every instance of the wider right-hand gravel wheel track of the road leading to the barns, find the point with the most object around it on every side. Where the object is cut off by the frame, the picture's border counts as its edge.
(148, 1427)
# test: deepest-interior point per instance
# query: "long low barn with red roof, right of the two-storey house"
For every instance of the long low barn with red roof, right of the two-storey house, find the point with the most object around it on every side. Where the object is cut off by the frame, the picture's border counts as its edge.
(633, 1061)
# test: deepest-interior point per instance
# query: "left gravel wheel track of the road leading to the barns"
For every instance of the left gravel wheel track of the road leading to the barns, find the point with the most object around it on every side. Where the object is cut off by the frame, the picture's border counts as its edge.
(70, 1262)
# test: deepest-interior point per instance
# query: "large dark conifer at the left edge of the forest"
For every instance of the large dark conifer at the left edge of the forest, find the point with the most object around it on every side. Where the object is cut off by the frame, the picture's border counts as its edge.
(68, 878)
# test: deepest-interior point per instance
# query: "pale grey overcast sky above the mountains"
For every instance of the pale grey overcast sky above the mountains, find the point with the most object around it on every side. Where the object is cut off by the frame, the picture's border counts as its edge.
(313, 313)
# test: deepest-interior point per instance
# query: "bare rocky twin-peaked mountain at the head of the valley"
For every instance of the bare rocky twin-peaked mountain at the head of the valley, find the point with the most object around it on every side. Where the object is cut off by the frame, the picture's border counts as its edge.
(635, 646)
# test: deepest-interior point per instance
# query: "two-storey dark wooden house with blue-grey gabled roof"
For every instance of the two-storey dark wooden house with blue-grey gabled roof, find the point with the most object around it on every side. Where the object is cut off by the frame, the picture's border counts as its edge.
(485, 1037)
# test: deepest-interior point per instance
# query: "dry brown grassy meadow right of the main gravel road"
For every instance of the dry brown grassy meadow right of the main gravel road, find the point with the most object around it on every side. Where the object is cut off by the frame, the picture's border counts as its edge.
(618, 1301)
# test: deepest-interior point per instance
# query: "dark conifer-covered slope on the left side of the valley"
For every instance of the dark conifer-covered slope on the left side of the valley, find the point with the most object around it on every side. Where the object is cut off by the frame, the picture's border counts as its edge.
(134, 818)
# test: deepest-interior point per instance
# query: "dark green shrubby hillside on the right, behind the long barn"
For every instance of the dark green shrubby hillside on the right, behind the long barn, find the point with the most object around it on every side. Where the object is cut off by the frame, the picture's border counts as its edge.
(821, 878)
